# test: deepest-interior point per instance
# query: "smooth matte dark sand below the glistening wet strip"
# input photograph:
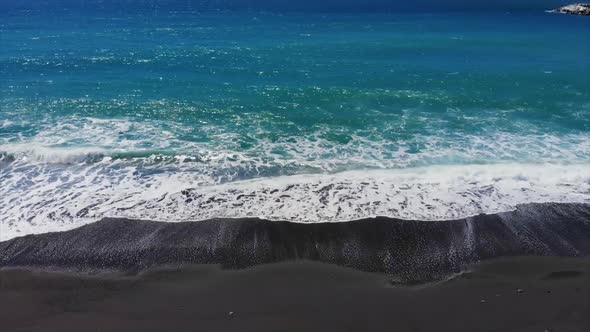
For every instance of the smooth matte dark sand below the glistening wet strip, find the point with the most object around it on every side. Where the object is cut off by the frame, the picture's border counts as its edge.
(302, 296)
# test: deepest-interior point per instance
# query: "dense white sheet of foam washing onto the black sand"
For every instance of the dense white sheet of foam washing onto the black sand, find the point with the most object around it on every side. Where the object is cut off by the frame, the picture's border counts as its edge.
(56, 200)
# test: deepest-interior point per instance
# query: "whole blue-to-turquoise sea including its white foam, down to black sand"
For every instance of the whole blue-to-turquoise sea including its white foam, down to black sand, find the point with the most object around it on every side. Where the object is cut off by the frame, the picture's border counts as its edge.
(306, 117)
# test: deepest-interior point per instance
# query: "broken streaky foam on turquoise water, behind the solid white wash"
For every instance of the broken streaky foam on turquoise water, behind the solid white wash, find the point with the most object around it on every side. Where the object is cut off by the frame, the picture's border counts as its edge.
(75, 138)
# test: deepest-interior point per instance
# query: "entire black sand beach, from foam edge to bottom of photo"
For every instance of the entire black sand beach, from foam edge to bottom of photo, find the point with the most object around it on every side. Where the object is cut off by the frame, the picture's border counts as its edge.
(524, 270)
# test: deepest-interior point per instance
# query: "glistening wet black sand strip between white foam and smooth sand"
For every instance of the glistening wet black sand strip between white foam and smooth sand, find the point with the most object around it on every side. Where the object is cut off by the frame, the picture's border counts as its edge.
(408, 252)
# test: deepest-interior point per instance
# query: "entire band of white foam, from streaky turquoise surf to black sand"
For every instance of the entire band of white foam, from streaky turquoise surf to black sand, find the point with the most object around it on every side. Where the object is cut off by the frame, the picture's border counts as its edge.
(81, 169)
